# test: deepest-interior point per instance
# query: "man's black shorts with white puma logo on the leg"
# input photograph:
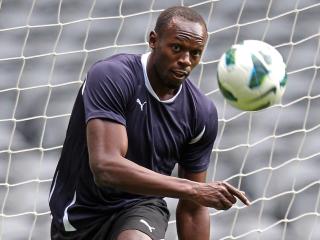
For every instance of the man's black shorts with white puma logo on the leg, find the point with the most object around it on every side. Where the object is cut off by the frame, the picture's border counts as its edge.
(150, 217)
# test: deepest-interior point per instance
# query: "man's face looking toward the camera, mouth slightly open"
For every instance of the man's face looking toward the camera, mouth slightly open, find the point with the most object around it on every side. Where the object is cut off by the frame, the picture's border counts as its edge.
(177, 50)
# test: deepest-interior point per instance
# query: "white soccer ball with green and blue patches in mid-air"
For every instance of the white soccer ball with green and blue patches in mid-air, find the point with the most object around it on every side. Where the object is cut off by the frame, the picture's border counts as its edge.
(252, 75)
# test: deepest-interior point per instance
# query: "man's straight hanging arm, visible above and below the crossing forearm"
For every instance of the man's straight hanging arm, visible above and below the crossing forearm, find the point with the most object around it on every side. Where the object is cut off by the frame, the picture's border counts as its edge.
(193, 220)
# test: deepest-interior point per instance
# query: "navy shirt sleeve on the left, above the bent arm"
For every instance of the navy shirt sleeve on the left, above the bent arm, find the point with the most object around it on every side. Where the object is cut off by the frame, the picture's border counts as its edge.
(106, 92)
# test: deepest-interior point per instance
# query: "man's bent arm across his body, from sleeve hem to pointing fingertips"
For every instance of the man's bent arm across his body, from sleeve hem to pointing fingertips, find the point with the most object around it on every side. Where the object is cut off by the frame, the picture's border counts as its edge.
(107, 146)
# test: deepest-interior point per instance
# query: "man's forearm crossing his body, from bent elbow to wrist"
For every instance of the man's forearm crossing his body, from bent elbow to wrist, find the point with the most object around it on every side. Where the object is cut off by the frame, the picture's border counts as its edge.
(128, 176)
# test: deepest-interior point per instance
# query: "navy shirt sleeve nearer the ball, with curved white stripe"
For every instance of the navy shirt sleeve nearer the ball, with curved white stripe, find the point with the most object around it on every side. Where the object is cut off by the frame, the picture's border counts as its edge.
(196, 154)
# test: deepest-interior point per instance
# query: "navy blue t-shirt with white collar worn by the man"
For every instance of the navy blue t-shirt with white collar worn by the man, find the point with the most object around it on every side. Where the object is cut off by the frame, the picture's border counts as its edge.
(160, 134)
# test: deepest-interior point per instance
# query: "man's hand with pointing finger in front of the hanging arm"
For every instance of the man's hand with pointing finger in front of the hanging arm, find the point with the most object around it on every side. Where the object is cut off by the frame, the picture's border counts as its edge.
(219, 195)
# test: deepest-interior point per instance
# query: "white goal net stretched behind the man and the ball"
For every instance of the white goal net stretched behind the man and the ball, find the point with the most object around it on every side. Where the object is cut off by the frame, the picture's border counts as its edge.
(273, 155)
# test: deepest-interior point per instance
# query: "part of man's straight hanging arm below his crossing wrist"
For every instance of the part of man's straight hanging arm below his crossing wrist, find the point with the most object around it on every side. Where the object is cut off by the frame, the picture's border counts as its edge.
(192, 222)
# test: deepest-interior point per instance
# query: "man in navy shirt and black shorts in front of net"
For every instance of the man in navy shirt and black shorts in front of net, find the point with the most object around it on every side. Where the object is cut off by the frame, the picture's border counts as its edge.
(134, 118)
